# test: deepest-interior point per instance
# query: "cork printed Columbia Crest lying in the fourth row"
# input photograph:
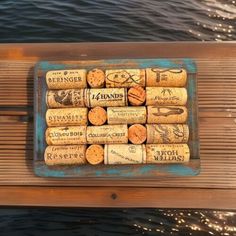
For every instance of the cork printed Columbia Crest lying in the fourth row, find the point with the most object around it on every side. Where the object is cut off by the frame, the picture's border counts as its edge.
(107, 134)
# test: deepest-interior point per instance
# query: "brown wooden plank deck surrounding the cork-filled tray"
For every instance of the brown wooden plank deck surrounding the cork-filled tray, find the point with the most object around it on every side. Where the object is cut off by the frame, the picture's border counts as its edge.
(215, 187)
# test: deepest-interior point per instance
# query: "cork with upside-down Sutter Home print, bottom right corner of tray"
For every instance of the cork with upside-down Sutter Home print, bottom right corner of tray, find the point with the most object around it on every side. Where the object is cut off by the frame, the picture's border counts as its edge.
(167, 153)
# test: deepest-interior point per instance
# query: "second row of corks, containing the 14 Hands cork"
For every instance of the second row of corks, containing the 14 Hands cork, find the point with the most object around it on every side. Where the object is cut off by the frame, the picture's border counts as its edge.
(110, 97)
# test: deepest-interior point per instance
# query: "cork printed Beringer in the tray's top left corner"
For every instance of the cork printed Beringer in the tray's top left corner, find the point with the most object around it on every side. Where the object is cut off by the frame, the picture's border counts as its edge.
(66, 79)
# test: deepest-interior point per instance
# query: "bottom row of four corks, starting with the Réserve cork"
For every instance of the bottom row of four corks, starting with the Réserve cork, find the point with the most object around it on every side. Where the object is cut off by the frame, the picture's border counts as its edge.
(116, 154)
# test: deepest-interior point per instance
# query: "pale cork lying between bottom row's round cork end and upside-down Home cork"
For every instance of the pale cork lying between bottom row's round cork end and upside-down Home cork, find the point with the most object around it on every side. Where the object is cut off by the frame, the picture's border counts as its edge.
(124, 154)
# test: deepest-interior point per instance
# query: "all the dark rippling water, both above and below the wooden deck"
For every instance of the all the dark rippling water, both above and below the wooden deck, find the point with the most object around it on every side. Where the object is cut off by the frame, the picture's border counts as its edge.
(110, 20)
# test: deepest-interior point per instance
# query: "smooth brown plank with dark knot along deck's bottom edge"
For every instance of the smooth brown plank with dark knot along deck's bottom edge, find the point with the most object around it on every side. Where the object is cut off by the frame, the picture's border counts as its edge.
(116, 197)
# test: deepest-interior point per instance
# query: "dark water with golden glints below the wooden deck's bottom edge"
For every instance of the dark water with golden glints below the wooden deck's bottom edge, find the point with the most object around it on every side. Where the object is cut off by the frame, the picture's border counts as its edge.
(108, 222)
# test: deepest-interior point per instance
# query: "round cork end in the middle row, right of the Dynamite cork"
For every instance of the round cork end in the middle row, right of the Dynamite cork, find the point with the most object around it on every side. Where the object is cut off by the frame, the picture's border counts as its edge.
(97, 116)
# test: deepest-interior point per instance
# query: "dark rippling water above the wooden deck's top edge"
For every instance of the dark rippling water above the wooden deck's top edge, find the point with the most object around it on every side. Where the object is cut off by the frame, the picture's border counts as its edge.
(116, 20)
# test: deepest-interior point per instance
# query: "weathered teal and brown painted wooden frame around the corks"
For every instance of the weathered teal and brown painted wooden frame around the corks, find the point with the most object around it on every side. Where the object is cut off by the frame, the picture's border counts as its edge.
(115, 171)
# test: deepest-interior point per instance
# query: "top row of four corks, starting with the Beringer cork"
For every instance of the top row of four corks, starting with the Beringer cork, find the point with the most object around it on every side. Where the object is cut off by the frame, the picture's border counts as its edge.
(115, 78)
